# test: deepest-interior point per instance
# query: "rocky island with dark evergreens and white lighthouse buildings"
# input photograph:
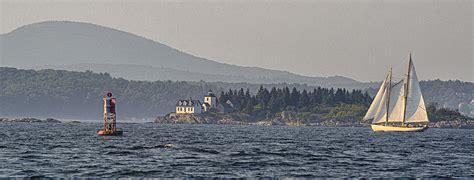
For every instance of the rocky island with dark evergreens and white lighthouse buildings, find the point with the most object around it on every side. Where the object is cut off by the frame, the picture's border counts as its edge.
(282, 106)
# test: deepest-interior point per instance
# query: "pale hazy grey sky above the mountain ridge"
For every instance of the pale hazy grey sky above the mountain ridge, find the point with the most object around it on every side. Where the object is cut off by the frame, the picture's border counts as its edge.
(358, 39)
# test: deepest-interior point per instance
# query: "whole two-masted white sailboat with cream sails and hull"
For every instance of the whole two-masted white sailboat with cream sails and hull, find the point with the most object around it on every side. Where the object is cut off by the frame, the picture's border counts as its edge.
(399, 106)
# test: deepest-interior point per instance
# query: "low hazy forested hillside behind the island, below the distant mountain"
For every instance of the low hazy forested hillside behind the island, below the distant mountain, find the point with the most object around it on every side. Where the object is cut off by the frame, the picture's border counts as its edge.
(66, 94)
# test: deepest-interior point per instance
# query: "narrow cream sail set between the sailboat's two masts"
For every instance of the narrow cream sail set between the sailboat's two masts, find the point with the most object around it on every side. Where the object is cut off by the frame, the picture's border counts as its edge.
(396, 104)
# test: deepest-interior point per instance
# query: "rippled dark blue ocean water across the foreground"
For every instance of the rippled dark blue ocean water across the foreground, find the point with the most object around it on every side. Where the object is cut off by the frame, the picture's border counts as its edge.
(73, 150)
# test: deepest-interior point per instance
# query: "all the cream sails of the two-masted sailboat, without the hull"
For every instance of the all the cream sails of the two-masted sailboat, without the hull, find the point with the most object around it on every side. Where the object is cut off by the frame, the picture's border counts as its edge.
(399, 102)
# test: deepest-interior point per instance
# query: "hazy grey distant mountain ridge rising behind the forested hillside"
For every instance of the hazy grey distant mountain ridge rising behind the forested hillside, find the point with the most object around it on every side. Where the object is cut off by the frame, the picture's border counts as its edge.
(84, 46)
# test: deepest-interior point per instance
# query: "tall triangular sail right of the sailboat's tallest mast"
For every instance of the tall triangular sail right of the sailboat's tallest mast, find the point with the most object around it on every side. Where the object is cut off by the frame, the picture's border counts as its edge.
(415, 105)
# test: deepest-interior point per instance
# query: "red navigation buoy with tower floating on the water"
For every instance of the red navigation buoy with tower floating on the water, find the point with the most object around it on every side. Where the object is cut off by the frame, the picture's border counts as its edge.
(110, 117)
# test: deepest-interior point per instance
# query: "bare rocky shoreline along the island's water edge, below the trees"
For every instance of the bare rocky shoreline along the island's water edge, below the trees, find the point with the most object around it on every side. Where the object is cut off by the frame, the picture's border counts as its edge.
(242, 119)
